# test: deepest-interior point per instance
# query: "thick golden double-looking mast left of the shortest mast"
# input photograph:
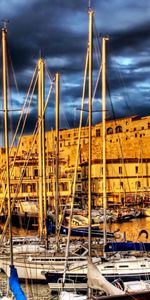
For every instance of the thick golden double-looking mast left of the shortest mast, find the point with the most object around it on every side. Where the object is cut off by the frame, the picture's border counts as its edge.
(41, 123)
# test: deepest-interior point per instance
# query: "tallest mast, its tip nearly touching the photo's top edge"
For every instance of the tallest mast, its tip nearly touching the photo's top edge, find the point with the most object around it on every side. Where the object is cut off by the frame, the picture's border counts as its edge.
(90, 46)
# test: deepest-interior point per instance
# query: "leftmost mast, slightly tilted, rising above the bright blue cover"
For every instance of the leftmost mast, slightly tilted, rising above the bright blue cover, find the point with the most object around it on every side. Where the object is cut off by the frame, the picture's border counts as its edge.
(5, 100)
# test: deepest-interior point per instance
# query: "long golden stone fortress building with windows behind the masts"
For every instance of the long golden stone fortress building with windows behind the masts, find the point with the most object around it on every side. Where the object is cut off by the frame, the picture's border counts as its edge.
(127, 154)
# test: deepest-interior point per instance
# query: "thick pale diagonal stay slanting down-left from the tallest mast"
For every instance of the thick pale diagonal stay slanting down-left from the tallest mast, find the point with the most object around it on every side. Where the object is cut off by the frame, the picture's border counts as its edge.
(76, 165)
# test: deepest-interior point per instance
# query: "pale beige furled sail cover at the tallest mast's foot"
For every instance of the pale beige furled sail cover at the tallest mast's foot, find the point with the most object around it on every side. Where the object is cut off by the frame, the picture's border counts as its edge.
(98, 282)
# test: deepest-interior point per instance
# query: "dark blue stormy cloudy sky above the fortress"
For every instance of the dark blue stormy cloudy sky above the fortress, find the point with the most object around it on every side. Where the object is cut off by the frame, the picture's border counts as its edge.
(58, 30)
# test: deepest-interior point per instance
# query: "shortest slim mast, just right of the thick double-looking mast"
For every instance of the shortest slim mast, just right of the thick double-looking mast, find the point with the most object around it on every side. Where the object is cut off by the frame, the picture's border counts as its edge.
(57, 96)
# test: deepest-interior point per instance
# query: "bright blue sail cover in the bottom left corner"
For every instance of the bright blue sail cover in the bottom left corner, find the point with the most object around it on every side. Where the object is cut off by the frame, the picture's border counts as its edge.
(15, 285)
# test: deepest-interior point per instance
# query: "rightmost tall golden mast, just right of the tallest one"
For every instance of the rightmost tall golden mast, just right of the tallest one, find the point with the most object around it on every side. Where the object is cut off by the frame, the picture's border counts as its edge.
(104, 39)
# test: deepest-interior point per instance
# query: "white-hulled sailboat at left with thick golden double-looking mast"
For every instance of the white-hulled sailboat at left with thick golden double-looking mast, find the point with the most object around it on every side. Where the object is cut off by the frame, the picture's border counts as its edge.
(33, 265)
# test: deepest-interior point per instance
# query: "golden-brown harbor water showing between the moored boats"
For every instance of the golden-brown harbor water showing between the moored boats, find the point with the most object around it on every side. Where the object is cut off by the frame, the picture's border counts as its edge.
(40, 291)
